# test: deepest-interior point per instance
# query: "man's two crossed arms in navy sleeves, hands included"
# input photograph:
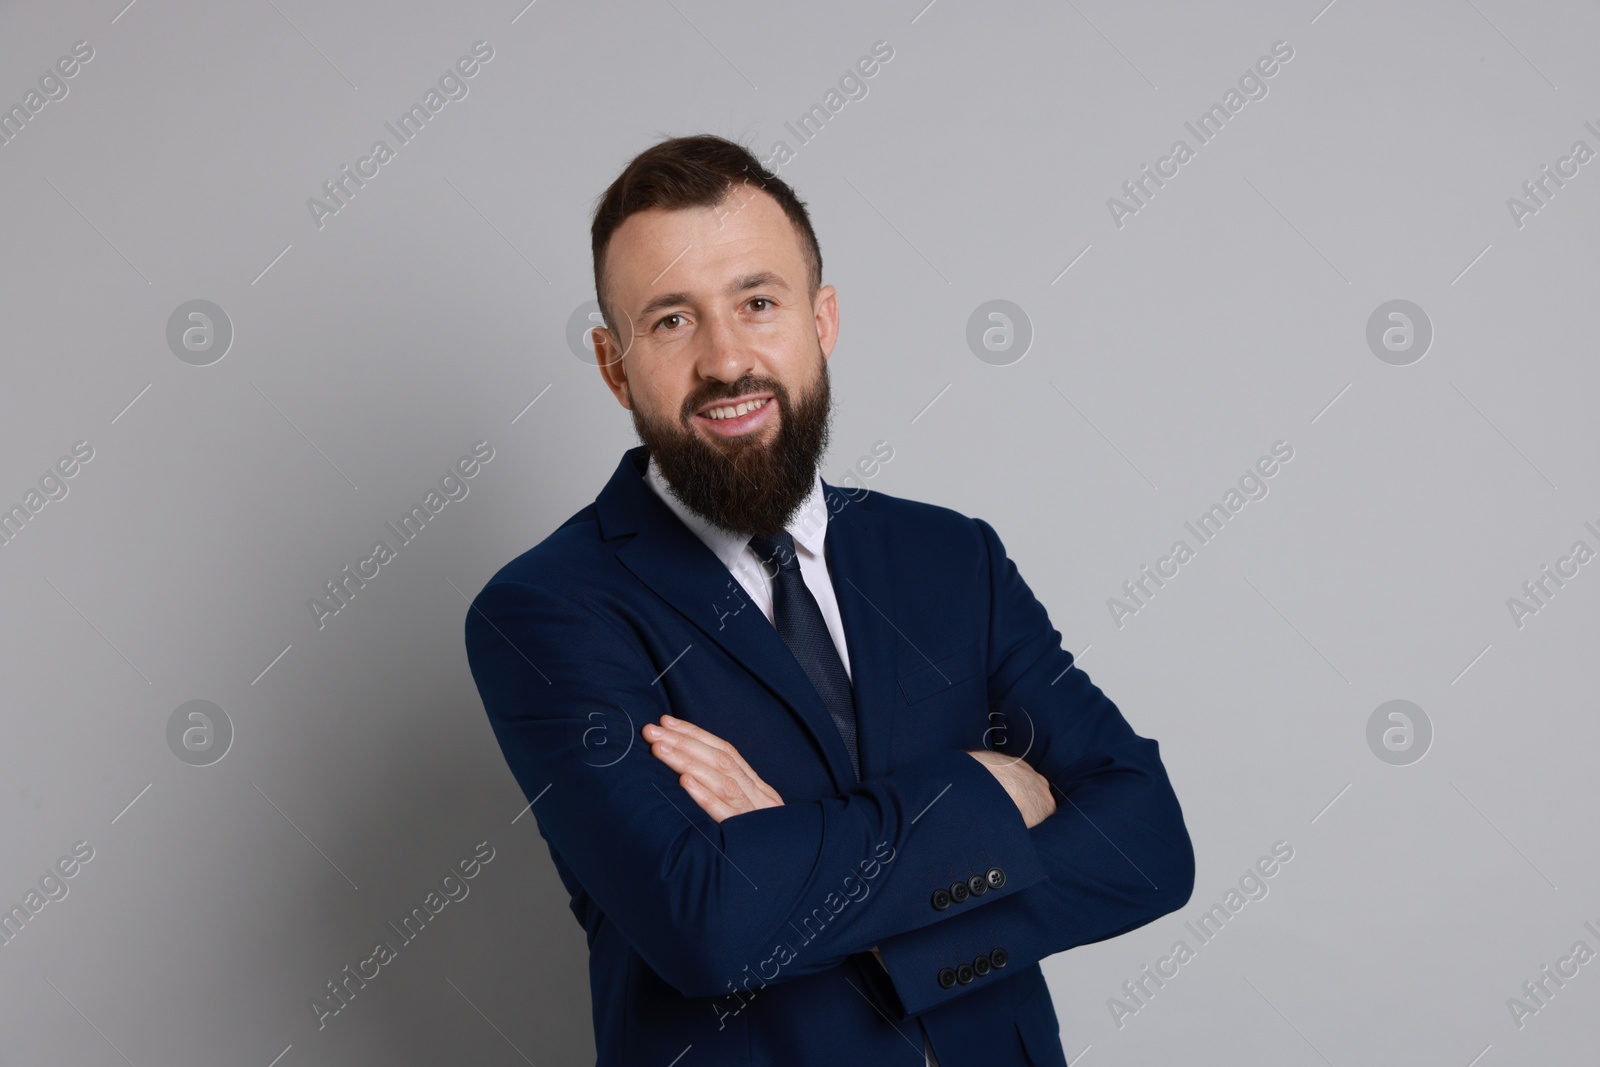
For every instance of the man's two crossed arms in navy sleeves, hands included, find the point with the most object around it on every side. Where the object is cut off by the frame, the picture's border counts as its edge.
(702, 895)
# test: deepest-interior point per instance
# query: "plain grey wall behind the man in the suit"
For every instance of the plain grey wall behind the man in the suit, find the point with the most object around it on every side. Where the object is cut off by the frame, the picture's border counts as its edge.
(1228, 314)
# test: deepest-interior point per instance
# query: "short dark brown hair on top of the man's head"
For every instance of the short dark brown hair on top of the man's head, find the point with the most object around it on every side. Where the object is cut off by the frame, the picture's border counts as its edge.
(697, 172)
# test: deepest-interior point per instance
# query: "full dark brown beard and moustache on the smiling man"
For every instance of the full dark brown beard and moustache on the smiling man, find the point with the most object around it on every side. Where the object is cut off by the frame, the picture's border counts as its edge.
(745, 487)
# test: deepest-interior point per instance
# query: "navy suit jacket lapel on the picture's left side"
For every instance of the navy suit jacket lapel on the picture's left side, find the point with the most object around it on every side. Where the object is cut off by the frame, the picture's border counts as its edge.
(678, 565)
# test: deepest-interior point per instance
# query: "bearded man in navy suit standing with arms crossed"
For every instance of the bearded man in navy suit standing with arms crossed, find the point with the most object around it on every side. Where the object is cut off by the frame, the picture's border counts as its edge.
(812, 764)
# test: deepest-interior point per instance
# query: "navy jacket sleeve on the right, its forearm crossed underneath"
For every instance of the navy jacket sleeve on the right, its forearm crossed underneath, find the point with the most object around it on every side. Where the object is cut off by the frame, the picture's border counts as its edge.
(1116, 852)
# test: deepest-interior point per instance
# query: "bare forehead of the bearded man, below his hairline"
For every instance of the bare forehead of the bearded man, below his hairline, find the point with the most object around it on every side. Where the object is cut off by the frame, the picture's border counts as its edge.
(689, 249)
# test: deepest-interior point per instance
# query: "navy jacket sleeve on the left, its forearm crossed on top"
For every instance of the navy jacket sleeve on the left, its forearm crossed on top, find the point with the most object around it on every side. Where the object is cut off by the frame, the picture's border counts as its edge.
(775, 893)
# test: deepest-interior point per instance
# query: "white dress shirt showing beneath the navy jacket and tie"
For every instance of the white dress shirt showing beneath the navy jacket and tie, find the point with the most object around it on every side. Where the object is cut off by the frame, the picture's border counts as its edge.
(809, 530)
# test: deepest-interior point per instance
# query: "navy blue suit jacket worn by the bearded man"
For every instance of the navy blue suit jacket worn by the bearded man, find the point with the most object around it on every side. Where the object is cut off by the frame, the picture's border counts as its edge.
(748, 941)
